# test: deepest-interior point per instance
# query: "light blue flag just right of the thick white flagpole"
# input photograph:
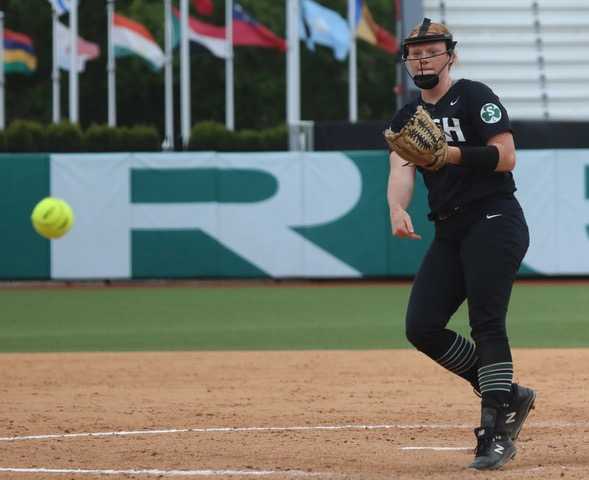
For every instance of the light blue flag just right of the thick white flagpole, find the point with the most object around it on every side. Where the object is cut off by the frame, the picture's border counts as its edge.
(325, 27)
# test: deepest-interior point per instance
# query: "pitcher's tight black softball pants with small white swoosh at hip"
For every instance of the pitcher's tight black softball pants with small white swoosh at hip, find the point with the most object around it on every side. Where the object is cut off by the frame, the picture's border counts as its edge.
(474, 256)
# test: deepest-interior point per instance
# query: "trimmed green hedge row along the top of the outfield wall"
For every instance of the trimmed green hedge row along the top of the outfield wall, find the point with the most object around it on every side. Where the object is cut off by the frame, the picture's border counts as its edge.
(23, 136)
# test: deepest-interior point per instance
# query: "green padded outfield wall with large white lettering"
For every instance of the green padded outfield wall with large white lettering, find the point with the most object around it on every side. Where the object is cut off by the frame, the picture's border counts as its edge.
(256, 215)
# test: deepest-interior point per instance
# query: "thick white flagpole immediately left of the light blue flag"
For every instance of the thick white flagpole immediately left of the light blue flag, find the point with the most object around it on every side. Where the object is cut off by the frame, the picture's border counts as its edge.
(293, 86)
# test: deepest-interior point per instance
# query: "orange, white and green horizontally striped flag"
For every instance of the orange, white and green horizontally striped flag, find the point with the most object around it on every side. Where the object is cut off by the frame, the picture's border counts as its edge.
(132, 38)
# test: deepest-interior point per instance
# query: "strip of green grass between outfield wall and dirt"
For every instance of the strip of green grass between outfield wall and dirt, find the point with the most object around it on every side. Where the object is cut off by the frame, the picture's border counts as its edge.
(260, 318)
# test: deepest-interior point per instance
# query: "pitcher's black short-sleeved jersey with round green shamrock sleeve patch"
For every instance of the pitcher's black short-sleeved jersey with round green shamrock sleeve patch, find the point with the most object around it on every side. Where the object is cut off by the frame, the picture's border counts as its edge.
(470, 114)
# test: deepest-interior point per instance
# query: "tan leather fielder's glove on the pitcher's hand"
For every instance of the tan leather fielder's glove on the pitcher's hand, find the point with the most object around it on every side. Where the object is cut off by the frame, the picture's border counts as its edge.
(420, 142)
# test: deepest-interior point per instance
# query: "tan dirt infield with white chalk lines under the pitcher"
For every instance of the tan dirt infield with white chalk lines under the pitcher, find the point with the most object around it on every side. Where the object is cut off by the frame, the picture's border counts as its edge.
(309, 414)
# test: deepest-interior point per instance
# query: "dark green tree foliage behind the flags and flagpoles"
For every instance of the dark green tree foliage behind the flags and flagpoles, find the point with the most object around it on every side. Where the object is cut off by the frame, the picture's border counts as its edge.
(260, 74)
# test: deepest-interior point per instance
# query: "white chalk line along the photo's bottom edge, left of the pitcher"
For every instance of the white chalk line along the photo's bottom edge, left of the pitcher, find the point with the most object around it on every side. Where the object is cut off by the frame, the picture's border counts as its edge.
(162, 473)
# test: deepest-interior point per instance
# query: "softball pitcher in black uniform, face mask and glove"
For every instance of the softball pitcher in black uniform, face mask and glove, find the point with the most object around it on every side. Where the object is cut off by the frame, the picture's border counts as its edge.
(457, 135)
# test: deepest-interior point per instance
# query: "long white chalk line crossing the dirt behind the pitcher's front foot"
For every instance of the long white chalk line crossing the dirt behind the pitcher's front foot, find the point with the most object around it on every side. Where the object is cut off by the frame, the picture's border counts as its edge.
(444, 426)
